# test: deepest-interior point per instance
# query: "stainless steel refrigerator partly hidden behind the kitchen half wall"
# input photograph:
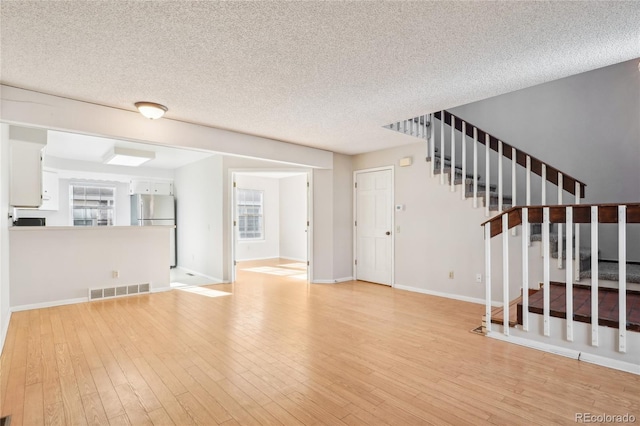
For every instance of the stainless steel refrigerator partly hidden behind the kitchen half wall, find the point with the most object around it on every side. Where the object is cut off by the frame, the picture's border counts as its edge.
(149, 210)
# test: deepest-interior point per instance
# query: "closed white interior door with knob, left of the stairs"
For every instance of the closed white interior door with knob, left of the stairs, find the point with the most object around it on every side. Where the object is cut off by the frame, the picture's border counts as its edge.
(374, 239)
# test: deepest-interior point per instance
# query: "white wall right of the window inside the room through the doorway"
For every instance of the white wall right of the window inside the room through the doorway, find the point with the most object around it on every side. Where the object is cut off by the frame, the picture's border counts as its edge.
(293, 217)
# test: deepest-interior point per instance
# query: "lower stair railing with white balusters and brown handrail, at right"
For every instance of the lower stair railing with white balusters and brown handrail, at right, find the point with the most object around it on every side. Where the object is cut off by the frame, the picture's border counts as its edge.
(593, 214)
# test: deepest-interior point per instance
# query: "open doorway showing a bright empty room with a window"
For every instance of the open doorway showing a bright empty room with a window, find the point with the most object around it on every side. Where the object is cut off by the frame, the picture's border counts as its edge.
(270, 223)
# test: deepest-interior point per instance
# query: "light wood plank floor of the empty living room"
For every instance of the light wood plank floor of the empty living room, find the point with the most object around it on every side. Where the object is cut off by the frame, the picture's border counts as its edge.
(276, 350)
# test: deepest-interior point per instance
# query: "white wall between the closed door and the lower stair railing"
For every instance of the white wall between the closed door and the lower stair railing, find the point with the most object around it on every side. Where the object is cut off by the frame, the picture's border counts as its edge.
(439, 233)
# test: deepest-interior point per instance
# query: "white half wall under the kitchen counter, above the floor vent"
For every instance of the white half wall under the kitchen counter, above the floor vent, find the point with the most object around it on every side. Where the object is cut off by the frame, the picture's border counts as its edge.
(53, 265)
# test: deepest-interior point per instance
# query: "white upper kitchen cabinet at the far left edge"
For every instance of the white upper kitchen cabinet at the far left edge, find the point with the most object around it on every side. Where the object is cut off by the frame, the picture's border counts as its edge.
(25, 174)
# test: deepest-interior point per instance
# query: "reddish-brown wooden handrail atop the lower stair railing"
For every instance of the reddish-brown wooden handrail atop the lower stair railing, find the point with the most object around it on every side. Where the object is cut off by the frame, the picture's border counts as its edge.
(607, 213)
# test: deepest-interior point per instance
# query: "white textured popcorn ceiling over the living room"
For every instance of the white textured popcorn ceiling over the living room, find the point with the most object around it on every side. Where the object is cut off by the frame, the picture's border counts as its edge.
(322, 74)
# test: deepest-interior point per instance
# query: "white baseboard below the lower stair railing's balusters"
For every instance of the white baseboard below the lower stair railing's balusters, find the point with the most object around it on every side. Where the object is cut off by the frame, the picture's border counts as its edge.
(569, 353)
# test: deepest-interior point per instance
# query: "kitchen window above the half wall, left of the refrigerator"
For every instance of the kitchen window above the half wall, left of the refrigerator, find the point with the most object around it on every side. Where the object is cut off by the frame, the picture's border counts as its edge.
(92, 205)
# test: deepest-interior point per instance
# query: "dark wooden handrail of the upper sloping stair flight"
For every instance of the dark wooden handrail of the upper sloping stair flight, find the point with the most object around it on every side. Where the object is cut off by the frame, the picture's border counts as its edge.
(568, 182)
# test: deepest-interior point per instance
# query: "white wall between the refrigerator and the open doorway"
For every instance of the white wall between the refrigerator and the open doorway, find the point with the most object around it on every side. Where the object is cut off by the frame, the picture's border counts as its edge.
(199, 192)
